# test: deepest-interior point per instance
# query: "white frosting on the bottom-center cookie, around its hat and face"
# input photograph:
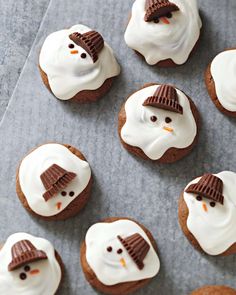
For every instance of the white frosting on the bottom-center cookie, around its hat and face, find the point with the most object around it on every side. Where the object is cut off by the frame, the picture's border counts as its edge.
(106, 265)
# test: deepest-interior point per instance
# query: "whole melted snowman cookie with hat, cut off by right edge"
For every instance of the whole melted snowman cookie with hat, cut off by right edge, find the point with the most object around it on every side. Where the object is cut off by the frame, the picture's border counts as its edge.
(207, 213)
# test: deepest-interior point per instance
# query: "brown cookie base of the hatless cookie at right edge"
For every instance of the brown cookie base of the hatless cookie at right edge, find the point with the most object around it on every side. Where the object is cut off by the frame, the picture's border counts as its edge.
(210, 85)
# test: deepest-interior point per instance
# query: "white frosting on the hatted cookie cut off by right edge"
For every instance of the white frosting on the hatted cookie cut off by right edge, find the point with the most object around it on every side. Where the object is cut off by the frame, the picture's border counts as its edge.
(215, 228)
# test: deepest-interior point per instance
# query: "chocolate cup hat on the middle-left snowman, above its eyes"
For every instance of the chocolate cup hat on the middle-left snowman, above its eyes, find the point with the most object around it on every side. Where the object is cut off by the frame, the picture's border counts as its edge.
(55, 179)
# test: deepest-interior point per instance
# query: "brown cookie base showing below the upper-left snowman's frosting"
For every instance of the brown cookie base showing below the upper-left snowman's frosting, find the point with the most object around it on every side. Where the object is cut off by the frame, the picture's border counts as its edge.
(85, 96)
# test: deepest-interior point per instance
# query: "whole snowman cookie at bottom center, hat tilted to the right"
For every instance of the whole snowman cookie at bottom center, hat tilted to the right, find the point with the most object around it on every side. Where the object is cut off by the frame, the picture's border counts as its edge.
(119, 256)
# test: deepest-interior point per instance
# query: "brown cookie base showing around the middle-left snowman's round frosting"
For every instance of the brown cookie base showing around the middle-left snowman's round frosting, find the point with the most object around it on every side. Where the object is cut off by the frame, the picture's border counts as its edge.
(73, 208)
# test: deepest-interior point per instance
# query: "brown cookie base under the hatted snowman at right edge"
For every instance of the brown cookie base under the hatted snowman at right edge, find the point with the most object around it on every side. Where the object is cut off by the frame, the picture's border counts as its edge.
(183, 216)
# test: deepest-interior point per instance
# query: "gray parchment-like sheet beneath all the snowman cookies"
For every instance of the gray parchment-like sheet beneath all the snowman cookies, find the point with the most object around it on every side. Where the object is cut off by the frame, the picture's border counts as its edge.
(124, 185)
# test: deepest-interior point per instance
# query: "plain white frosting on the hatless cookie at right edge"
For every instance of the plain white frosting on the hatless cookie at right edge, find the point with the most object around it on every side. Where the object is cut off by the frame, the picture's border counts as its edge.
(223, 71)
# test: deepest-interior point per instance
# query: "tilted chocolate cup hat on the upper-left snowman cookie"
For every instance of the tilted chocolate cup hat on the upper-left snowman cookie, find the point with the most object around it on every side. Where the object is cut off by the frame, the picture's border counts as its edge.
(91, 41)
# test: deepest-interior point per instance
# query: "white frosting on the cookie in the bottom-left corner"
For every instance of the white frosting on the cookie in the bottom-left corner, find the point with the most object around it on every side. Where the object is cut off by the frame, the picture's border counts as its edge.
(45, 282)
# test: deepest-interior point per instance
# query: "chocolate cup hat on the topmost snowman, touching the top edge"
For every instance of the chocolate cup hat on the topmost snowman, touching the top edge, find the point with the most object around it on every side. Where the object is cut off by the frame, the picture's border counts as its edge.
(158, 8)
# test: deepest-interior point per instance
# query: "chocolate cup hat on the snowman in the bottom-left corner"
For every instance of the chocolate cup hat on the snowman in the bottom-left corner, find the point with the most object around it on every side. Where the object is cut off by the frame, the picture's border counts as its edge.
(24, 252)
